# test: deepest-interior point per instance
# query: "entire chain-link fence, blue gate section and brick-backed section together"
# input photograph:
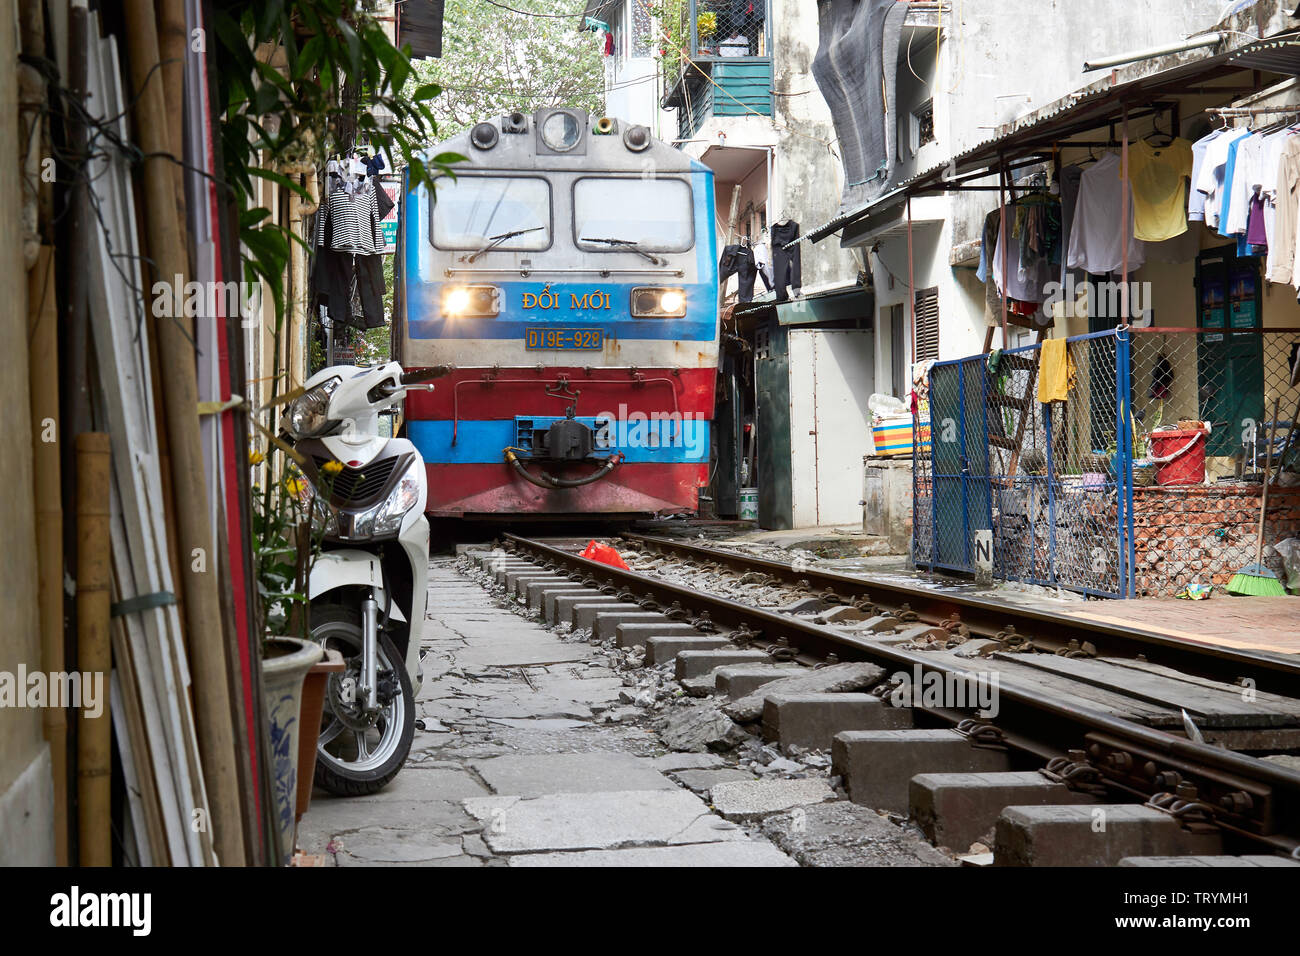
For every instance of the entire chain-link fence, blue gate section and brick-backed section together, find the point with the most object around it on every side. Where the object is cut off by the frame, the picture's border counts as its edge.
(1120, 490)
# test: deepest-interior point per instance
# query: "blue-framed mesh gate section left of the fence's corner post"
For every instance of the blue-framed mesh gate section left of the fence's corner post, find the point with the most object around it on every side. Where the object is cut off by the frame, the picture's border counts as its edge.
(1051, 485)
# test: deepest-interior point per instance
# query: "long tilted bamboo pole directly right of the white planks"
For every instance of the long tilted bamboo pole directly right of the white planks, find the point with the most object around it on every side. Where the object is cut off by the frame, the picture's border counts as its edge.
(175, 336)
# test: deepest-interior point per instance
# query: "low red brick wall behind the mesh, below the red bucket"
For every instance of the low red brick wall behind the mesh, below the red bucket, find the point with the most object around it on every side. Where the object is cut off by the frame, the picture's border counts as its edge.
(1206, 534)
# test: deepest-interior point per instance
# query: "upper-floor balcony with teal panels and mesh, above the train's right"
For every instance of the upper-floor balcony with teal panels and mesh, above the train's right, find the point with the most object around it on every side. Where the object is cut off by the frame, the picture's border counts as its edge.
(718, 60)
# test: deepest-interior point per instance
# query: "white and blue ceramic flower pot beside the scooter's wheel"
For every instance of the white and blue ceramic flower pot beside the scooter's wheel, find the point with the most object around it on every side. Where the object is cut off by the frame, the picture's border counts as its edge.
(285, 663)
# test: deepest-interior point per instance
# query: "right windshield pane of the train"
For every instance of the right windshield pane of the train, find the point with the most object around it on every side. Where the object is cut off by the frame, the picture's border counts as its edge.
(649, 215)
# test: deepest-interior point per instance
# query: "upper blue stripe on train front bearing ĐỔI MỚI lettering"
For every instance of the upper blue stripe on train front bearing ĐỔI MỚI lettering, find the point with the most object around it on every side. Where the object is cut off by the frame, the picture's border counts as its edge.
(424, 317)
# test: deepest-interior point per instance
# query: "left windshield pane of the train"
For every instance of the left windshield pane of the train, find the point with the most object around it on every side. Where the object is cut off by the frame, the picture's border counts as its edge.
(502, 213)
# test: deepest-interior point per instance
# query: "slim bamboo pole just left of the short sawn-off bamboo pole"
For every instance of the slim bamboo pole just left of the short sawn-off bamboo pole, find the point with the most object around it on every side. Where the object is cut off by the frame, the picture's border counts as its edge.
(42, 362)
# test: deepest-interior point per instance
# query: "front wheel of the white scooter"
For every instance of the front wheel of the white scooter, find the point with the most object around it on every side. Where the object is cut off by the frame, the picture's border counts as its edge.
(359, 754)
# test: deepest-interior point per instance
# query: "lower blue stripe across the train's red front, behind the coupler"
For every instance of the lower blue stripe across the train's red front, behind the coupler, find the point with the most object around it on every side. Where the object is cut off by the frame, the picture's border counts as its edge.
(482, 443)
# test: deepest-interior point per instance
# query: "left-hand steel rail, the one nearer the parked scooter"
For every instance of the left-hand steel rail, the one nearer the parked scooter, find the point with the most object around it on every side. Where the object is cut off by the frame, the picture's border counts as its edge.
(1216, 773)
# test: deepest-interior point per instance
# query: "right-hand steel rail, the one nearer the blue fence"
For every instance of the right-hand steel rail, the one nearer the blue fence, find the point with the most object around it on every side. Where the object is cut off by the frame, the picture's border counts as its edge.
(1272, 673)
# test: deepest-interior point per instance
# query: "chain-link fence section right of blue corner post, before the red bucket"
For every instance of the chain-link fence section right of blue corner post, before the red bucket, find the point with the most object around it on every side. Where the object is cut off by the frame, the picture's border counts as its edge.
(1197, 498)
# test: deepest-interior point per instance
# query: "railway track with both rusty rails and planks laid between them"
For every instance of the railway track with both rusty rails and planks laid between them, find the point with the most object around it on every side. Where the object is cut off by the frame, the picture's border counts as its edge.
(1086, 704)
